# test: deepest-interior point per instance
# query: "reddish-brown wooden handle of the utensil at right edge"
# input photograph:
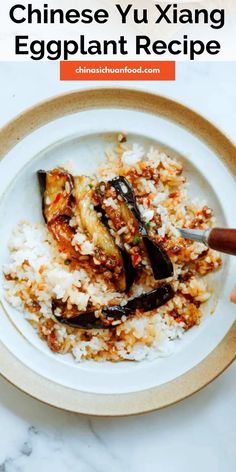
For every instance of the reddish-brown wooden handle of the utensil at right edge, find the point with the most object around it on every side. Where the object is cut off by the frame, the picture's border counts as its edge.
(223, 240)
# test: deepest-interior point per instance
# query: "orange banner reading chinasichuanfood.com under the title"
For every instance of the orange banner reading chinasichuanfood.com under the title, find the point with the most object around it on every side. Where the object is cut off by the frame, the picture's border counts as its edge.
(117, 70)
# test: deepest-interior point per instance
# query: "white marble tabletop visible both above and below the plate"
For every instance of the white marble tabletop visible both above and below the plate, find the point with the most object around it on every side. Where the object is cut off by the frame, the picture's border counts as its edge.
(197, 434)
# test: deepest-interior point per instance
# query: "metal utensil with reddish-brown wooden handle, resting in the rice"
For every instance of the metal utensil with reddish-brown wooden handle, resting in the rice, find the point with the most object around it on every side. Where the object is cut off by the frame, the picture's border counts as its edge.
(221, 239)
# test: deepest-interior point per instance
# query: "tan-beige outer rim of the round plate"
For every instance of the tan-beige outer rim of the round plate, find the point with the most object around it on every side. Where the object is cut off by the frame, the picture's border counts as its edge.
(210, 367)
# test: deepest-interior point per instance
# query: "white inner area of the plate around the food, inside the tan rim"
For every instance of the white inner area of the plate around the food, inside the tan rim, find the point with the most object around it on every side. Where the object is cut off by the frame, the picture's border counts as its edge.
(83, 137)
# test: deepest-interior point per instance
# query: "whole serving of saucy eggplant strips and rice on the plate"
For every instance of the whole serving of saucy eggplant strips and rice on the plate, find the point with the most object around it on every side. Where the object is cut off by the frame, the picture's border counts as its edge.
(107, 275)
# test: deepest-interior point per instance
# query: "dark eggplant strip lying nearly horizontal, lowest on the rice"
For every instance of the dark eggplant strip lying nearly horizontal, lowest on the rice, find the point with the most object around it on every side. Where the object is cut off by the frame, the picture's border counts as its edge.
(111, 314)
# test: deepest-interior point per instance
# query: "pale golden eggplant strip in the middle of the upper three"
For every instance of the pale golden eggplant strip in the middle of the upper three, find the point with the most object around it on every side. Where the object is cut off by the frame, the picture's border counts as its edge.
(107, 253)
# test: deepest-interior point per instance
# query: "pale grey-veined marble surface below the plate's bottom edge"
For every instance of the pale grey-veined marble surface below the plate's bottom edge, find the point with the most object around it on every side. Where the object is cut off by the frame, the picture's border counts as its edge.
(36, 437)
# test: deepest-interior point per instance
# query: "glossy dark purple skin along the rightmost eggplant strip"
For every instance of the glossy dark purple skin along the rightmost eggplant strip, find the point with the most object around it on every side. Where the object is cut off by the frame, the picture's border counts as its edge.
(162, 266)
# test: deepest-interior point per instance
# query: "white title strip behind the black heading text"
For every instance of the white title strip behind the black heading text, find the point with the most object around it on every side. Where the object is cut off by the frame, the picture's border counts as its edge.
(113, 28)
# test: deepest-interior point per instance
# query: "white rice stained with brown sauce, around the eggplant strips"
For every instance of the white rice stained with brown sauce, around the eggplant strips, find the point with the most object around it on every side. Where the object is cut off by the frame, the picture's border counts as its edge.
(37, 272)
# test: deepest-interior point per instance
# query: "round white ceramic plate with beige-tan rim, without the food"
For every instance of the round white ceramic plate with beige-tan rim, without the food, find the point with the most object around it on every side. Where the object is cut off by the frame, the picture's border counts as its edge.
(46, 131)
